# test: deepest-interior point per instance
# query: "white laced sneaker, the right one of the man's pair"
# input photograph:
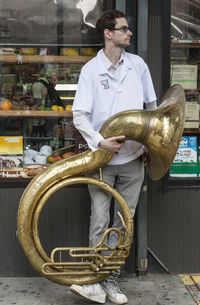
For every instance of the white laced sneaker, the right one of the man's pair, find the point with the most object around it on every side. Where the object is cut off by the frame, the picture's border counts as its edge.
(113, 292)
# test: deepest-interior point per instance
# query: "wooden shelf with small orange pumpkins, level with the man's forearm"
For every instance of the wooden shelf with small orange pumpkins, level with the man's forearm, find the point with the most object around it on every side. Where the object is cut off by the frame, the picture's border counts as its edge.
(34, 114)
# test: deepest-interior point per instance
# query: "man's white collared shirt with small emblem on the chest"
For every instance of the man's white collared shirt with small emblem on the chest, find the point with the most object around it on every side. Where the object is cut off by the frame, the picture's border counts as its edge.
(104, 90)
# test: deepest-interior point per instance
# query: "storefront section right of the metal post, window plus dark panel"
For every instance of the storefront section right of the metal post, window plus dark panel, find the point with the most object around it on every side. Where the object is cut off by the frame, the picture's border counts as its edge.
(173, 202)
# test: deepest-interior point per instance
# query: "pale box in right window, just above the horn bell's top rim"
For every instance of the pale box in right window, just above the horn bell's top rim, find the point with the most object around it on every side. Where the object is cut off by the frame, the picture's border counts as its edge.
(185, 75)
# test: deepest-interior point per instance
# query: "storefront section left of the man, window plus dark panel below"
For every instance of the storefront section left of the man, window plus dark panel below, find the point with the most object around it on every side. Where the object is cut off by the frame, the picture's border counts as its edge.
(43, 42)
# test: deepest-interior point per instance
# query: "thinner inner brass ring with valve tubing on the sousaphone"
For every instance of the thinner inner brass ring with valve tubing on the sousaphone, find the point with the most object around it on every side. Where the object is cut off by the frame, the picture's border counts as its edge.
(89, 274)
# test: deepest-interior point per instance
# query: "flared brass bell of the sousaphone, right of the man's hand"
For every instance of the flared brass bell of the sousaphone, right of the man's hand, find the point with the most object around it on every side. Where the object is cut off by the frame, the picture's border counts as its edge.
(159, 130)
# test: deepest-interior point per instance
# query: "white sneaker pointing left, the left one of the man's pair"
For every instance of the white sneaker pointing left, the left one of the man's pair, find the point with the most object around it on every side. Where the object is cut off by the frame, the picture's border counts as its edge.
(92, 292)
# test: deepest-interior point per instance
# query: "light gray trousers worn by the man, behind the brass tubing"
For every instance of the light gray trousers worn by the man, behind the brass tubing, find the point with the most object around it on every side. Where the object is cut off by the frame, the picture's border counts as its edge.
(127, 179)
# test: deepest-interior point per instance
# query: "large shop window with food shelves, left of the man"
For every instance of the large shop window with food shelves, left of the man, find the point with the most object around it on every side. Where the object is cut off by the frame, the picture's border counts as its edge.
(42, 42)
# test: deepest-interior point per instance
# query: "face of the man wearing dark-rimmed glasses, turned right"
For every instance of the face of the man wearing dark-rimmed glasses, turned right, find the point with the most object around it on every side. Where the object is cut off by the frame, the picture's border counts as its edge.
(121, 35)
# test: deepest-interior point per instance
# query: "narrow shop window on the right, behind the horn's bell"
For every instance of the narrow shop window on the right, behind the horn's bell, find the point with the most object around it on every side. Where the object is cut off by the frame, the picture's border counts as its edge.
(185, 70)
